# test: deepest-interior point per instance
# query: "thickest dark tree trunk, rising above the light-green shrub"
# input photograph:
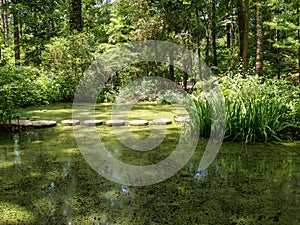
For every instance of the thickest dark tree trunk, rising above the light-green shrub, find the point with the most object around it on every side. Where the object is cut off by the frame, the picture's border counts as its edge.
(75, 7)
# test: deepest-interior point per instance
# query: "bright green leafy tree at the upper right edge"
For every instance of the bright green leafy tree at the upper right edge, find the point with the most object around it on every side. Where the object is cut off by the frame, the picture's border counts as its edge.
(283, 25)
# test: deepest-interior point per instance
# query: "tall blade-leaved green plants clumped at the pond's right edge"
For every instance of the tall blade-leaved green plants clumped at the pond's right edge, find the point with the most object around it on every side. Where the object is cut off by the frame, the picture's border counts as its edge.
(255, 111)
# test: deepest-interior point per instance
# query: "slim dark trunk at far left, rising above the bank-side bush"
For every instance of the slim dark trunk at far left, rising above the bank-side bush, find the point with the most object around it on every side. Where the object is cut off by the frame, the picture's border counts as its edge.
(16, 33)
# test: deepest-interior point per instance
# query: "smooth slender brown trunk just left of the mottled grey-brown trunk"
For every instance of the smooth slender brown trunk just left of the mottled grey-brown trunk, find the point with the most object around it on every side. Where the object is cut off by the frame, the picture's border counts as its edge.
(246, 37)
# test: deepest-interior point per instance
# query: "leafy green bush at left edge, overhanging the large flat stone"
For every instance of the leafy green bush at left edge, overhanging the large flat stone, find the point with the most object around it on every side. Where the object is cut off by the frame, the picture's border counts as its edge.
(24, 86)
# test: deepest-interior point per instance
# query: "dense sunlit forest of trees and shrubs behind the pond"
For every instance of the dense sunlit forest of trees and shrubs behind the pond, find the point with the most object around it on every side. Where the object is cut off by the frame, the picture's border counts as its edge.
(46, 45)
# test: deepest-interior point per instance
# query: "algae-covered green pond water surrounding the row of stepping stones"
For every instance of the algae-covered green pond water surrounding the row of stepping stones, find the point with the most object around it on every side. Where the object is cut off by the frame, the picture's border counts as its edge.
(44, 179)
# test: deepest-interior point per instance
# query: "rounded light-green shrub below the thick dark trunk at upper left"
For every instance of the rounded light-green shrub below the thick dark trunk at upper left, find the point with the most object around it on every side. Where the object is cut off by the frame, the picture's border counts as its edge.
(65, 60)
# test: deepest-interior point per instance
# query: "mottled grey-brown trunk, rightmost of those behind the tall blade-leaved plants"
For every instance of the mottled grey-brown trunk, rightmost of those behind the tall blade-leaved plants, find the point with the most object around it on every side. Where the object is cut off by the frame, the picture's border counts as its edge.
(259, 35)
